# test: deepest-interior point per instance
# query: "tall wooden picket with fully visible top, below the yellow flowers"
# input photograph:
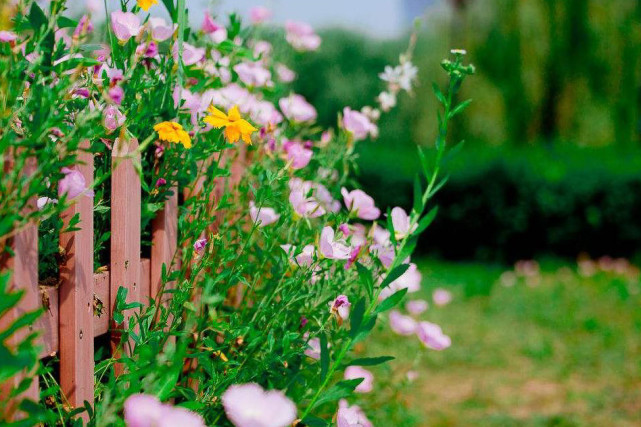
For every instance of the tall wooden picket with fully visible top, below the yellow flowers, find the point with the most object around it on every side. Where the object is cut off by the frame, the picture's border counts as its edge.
(125, 231)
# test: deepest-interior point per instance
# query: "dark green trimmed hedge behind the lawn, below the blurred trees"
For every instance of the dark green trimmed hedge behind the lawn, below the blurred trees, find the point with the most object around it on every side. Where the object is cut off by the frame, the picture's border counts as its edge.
(509, 204)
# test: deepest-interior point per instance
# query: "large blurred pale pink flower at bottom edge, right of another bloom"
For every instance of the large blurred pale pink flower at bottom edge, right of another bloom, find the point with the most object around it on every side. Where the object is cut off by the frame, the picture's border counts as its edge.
(248, 405)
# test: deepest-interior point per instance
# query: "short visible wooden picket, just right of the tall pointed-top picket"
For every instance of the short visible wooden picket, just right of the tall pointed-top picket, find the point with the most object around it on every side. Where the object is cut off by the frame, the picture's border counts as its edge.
(164, 241)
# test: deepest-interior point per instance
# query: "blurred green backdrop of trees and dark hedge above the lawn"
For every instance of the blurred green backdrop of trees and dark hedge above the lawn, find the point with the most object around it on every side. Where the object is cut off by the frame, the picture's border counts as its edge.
(552, 160)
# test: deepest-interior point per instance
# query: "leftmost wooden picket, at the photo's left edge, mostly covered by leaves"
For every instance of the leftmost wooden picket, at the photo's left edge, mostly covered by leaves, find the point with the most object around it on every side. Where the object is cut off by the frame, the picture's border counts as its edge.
(24, 264)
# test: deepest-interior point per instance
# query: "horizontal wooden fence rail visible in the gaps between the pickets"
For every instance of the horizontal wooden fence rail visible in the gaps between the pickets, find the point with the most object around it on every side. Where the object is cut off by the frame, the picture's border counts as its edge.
(48, 323)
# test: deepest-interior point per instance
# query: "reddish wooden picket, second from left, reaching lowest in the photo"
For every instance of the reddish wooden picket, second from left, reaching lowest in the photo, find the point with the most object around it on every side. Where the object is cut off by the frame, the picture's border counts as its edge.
(76, 296)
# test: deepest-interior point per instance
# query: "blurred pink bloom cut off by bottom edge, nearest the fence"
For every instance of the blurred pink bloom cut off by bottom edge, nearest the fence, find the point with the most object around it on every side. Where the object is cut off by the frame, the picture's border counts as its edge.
(142, 410)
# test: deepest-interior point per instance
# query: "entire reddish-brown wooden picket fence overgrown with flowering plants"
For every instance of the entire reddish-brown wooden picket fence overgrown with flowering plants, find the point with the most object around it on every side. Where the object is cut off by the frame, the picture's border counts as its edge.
(69, 325)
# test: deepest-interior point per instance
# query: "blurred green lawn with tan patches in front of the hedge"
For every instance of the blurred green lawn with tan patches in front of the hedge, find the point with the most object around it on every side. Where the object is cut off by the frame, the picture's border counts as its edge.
(552, 348)
